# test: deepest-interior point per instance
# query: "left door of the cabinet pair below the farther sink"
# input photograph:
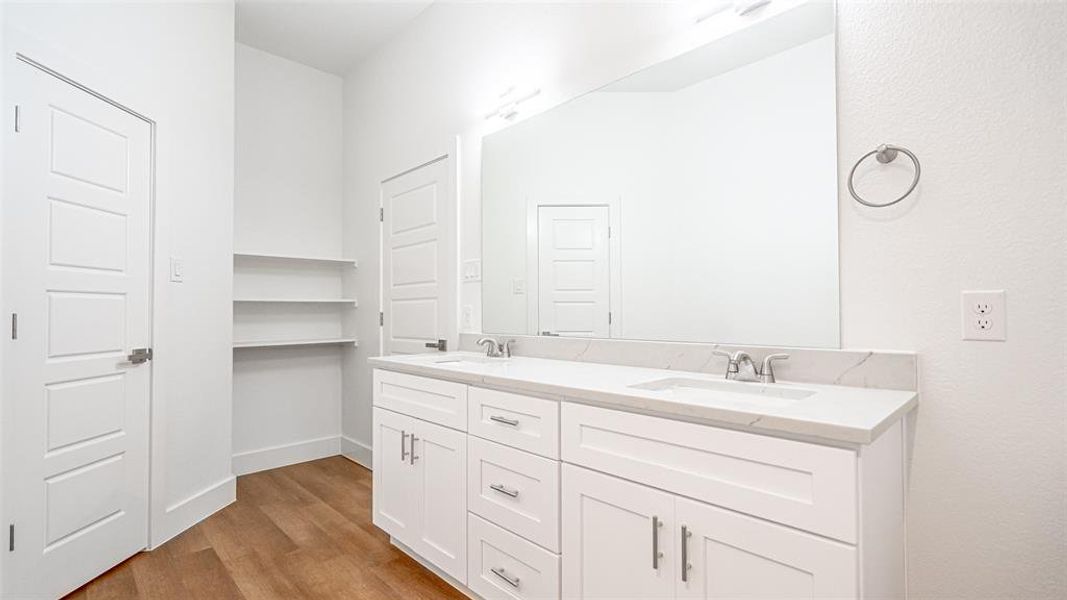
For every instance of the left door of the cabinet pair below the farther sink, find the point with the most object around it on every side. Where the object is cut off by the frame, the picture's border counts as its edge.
(396, 484)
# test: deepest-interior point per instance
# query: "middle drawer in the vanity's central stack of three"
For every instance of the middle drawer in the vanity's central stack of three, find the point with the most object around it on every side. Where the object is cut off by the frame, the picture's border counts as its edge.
(516, 491)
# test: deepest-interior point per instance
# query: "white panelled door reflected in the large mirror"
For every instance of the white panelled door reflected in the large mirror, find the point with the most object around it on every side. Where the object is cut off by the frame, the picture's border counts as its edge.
(574, 272)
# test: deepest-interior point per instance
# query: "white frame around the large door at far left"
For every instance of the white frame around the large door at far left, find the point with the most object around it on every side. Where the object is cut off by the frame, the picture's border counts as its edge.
(22, 51)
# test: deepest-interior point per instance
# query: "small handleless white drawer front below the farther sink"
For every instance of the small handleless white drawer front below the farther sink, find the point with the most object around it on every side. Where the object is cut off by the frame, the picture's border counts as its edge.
(443, 403)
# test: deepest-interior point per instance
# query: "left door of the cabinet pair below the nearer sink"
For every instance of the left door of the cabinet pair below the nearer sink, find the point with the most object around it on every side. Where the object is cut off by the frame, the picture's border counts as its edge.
(613, 547)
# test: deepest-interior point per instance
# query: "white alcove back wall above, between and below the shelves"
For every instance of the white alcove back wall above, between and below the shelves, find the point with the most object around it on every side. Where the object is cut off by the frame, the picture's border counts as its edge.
(289, 201)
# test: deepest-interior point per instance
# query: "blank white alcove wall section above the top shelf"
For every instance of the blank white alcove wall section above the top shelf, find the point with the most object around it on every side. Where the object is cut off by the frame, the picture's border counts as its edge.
(289, 160)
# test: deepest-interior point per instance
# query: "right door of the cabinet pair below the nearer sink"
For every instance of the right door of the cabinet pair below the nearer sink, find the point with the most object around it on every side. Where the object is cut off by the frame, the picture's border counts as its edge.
(734, 557)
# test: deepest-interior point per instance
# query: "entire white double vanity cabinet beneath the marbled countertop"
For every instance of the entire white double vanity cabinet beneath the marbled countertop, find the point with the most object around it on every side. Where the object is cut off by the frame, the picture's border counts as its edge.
(520, 498)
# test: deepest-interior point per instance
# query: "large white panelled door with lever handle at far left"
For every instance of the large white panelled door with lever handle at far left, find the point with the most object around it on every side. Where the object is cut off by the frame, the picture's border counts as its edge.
(76, 234)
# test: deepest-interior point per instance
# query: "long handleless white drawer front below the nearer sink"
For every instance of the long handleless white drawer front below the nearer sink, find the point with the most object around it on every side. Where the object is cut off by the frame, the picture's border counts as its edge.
(807, 486)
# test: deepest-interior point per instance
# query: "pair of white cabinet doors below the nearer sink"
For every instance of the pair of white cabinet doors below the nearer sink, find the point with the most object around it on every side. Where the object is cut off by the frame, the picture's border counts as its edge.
(628, 541)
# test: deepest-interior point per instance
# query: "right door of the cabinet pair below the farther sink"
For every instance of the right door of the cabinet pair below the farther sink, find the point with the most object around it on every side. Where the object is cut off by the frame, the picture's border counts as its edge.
(441, 465)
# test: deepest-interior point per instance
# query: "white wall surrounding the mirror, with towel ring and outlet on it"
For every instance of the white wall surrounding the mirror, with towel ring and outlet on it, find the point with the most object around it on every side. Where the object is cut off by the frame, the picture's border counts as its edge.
(976, 89)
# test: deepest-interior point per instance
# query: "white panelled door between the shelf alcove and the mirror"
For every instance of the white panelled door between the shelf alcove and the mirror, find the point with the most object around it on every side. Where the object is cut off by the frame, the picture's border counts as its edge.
(419, 260)
